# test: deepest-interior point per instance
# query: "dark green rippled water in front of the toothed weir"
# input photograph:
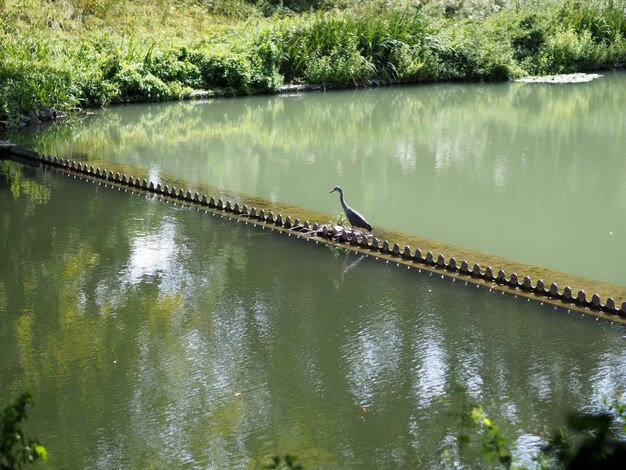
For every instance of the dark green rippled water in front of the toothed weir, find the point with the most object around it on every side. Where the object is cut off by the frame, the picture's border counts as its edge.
(153, 335)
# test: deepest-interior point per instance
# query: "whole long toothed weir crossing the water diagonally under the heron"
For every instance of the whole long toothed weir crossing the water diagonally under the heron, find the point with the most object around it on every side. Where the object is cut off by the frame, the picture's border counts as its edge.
(520, 285)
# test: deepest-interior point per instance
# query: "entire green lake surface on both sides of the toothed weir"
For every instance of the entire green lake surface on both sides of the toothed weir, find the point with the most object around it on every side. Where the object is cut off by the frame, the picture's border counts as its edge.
(155, 335)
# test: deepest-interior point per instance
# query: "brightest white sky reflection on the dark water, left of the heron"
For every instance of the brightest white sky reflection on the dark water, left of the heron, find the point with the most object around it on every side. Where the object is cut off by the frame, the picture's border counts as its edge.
(152, 254)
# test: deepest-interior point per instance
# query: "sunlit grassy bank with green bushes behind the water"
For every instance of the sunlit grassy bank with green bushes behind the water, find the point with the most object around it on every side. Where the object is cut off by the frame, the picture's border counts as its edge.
(81, 53)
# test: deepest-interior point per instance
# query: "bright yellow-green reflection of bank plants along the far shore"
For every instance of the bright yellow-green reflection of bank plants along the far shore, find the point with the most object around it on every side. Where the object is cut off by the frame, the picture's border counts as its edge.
(392, 115)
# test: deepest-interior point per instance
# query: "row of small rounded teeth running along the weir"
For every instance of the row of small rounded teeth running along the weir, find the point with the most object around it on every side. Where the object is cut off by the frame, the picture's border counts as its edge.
(355, 239)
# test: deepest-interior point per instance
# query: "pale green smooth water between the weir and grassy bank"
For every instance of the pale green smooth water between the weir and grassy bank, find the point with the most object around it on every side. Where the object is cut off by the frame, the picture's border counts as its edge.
(529, 172)
